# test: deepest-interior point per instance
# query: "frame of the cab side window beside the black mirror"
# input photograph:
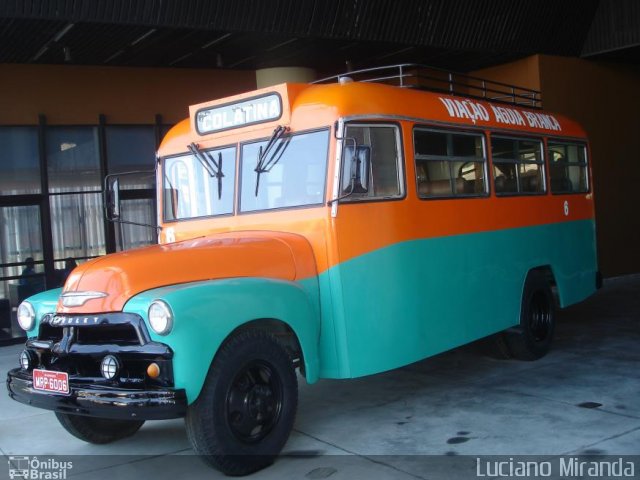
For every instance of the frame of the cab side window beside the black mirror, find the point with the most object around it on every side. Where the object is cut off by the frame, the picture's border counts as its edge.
(400, 159)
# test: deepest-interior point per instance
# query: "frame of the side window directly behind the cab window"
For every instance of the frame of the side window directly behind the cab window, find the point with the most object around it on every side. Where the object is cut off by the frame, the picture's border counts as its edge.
(451, 159)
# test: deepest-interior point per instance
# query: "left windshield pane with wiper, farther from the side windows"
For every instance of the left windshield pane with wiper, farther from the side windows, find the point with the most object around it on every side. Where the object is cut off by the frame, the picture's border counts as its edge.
(191, 191)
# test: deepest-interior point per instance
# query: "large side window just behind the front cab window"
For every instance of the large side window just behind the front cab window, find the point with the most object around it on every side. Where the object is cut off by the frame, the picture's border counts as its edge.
(449, 164)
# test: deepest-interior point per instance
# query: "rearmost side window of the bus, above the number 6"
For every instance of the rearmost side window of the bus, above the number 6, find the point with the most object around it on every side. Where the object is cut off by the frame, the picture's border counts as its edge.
(568, 168)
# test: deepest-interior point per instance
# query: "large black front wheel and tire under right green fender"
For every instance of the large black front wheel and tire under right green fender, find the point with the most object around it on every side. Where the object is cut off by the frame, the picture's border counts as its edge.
(246, 409)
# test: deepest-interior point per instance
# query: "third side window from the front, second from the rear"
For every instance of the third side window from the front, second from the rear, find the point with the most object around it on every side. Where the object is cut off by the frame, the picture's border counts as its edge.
(518, 166)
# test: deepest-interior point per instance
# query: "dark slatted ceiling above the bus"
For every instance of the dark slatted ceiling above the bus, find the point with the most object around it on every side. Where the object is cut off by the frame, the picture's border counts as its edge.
(456, 34)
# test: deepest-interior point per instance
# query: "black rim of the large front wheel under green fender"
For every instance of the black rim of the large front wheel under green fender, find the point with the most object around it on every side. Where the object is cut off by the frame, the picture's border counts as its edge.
(254, 401)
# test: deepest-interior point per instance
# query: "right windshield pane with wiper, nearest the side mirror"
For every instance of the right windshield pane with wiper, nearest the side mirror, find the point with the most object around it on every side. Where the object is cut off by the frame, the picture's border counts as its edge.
(293, 173)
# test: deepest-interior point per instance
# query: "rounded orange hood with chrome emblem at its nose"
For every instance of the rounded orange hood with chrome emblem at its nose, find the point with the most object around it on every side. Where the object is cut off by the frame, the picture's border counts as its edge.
(106, 283)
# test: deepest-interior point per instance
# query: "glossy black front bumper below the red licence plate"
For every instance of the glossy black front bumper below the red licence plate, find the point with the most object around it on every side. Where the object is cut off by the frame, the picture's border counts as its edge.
(100, 401)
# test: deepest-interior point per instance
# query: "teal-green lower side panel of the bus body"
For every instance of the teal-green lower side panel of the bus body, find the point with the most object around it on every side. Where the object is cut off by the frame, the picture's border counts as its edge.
(415, 299)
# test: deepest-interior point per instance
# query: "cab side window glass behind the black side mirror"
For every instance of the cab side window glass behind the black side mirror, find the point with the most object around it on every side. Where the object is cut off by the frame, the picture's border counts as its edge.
(385, 176)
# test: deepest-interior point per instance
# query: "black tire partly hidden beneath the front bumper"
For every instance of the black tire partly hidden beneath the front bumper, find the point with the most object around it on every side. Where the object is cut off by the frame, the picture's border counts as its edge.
(98, 430)
